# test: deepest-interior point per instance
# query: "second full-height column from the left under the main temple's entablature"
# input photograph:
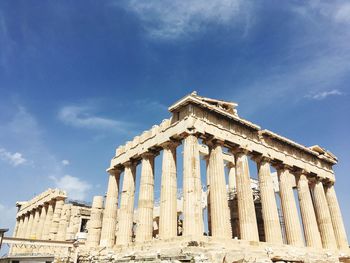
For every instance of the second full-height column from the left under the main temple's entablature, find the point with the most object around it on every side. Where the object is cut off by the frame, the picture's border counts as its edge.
(126, 211)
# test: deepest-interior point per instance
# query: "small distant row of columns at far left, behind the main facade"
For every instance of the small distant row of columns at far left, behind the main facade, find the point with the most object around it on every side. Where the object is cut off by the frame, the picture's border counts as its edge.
(47, 221)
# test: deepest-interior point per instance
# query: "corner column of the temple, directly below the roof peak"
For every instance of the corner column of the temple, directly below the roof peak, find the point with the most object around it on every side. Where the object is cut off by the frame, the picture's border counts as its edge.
(192, 189)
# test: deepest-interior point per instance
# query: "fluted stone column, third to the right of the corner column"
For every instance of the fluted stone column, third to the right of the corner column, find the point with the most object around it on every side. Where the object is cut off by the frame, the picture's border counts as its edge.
(272, 226)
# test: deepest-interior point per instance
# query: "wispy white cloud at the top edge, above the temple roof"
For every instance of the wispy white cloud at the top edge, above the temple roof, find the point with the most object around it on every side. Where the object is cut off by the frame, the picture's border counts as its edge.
(171, 19)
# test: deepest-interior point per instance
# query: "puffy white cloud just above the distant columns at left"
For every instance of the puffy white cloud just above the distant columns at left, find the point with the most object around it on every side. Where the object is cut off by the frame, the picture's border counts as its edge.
(74, 186)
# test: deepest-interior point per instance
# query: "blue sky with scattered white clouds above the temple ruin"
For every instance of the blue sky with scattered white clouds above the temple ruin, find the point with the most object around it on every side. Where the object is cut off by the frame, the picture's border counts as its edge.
(78, 78)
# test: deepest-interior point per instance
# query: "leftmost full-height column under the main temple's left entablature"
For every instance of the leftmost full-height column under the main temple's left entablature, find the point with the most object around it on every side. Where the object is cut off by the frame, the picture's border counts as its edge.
(109, 221)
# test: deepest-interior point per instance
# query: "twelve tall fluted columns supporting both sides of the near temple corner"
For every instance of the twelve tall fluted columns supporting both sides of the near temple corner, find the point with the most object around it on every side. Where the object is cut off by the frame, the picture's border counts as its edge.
(321, 217)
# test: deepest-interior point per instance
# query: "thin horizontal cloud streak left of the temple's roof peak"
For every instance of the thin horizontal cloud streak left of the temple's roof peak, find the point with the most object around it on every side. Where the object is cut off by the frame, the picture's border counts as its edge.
(82, 117)
